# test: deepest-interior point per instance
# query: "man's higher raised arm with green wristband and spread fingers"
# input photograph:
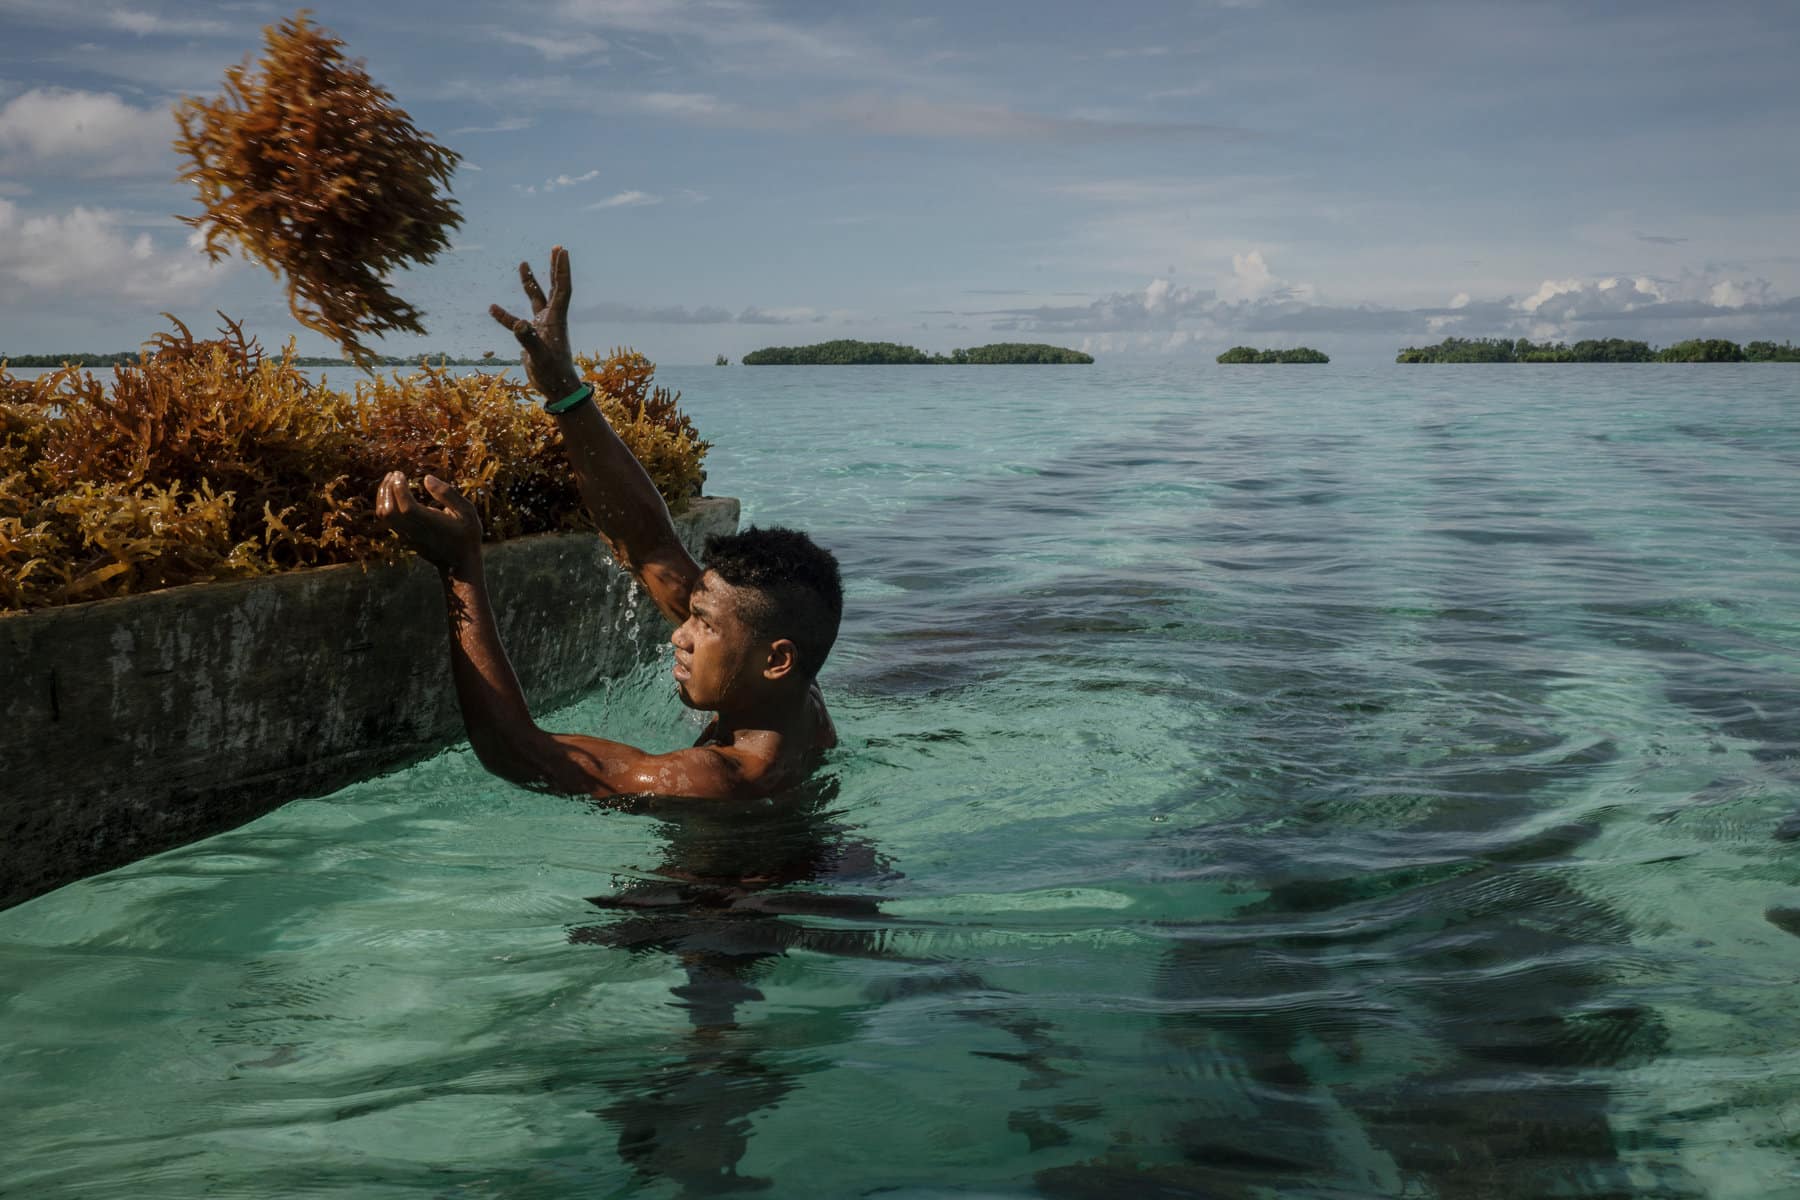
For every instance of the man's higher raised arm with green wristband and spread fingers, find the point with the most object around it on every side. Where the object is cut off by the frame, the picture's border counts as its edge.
(618, 494)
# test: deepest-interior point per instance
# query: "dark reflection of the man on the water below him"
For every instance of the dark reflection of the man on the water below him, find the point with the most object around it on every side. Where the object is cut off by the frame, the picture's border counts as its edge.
(715, 904)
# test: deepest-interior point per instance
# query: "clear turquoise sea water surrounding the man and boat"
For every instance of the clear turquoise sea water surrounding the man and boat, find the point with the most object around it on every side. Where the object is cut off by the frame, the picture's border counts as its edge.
(1313, 784)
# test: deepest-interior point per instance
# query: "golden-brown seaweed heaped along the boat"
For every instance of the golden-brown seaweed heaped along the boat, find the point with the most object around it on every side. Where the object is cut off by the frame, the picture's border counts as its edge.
(210, 460)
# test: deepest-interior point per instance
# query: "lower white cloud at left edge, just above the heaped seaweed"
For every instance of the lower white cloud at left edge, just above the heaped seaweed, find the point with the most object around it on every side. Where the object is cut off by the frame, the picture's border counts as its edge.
(85, 255)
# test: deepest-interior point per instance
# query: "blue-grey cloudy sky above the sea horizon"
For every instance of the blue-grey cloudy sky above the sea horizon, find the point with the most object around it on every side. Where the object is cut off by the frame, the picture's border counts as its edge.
(1133, 177)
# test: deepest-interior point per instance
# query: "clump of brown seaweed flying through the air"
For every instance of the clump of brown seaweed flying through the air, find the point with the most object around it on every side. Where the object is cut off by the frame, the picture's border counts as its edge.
(307, 165)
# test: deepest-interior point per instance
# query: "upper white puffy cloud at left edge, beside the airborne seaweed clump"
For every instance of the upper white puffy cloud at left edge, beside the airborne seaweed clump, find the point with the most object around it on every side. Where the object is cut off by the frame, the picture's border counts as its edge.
(93, 132)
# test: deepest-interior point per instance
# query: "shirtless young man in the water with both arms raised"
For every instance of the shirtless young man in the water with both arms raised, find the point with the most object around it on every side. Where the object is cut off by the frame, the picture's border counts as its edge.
(751, 627)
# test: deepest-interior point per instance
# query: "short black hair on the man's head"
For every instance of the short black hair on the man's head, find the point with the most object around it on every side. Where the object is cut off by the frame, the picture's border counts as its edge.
(796, 578)
